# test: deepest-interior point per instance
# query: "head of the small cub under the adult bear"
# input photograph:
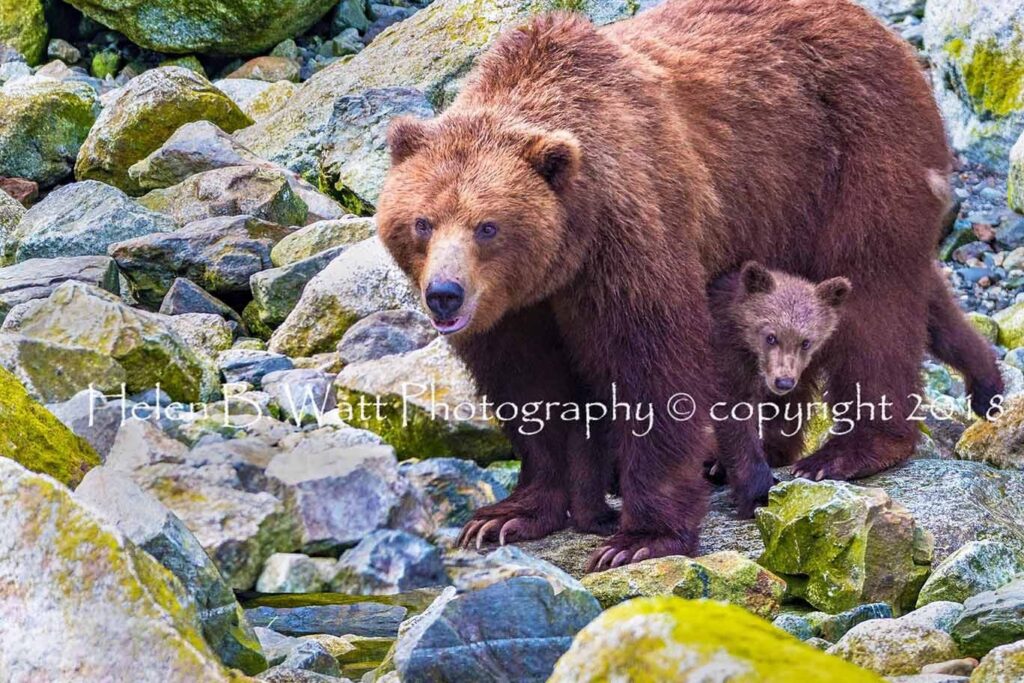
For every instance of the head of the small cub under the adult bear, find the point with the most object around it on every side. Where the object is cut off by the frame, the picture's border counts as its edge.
(785, 320)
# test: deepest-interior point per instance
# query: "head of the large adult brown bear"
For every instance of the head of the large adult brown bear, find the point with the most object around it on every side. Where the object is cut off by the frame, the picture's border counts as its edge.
(474, 211)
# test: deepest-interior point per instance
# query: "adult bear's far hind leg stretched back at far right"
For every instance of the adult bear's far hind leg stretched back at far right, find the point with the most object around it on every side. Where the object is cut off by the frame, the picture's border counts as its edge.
(955, 343)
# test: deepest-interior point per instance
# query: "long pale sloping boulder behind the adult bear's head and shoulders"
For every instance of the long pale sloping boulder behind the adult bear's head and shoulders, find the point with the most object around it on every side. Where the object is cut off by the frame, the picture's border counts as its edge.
(418, 53)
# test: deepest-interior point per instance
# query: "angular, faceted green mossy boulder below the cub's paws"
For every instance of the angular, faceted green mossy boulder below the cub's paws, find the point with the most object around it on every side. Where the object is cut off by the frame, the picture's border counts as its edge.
(838, 545)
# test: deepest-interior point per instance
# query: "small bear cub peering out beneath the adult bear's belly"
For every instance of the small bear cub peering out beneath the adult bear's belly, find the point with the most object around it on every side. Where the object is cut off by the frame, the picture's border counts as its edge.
(766, 330)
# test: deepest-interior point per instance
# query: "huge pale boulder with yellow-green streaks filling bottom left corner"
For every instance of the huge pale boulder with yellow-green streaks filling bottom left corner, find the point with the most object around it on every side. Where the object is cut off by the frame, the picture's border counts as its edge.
(115, 612)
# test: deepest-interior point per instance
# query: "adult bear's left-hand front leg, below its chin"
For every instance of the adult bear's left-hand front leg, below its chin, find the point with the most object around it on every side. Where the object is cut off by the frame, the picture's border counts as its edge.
(523, 361)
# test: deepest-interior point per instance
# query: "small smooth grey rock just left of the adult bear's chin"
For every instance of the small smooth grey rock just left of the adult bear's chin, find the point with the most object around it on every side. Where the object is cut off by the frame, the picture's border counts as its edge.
(387, 333)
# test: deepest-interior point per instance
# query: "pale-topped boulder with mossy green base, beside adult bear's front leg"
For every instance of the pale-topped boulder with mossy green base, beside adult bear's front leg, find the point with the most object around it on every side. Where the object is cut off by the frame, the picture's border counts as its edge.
(430, 405)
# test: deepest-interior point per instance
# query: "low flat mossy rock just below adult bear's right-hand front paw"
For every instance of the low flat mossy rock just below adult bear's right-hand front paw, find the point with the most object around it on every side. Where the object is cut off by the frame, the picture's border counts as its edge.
(728, 577)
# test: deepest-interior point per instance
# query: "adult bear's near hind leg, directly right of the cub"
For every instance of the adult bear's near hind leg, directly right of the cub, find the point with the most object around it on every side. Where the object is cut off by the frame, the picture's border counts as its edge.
(873, 363)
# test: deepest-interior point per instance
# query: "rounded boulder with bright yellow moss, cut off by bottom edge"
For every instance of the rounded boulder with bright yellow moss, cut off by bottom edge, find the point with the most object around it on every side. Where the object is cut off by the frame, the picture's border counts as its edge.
(670, 639)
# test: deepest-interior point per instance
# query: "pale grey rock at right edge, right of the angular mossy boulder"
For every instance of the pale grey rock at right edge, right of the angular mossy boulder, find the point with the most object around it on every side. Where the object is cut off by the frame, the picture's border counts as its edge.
(977, 568)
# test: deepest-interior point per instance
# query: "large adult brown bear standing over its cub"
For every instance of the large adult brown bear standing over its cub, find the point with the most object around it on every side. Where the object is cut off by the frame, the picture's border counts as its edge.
(564, 218)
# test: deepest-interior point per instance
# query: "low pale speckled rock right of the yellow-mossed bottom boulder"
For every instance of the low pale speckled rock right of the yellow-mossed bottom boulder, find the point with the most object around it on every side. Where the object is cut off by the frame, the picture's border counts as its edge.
(892, 648)
